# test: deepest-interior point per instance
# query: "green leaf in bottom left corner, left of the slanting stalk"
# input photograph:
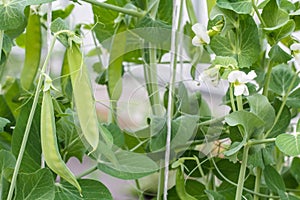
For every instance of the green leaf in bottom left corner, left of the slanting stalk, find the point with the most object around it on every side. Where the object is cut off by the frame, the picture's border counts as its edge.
(7, 164)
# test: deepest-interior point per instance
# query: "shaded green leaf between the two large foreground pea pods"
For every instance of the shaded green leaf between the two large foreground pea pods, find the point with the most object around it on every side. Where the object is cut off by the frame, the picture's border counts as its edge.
(69, 137)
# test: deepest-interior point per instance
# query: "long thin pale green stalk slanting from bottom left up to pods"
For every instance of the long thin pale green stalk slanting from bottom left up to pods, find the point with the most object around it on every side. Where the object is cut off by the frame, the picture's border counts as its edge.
(29, 122)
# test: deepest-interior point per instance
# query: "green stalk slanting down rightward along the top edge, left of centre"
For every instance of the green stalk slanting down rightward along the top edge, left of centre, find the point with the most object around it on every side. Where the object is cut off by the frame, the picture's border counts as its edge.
(116, 8)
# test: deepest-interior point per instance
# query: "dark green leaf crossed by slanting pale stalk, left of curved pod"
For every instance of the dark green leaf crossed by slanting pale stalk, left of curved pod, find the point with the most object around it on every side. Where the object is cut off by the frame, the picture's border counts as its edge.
(32, 156)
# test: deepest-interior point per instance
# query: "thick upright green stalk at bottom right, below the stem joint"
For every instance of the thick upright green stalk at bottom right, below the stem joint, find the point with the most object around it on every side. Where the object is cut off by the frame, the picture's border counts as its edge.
(240, 186)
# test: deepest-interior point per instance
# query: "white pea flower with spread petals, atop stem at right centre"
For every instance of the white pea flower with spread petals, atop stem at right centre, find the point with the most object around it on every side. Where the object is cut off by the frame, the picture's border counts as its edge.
(239, 80)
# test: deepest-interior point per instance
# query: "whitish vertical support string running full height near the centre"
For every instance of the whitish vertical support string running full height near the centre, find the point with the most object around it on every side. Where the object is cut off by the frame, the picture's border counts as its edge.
(173, 52)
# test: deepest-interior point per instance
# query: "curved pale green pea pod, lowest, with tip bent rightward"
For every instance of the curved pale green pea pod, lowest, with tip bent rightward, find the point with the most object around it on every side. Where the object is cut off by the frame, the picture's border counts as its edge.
(49, 142)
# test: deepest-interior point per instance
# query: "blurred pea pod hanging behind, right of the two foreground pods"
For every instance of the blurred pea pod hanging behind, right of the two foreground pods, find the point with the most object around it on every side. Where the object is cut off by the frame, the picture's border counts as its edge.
(115, 62)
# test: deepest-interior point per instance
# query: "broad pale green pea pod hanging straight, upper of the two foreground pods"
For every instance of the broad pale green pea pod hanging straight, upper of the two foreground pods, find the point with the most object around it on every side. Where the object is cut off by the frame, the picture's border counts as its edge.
(83, 96)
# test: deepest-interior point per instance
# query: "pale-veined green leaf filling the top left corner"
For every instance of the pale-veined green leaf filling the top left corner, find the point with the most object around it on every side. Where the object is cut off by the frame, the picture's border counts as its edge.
(12, 15)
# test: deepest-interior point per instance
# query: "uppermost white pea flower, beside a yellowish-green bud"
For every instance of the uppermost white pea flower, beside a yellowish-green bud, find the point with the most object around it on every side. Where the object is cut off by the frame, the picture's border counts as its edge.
(201, 35)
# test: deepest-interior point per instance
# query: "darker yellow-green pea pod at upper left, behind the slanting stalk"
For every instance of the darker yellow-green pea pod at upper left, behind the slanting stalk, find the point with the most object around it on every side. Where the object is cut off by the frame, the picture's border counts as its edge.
(33, 44)
